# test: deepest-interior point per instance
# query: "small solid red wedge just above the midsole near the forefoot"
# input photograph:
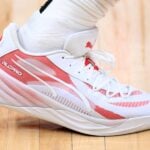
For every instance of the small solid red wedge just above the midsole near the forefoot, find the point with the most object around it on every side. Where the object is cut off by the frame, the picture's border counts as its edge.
(108, 114)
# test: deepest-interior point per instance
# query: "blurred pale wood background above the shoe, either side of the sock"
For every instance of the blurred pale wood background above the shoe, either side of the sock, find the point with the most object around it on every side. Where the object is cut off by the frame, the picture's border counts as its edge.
(124, 31)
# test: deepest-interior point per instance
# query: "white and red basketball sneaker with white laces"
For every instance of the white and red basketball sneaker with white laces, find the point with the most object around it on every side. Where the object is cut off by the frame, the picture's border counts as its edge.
(67, 88)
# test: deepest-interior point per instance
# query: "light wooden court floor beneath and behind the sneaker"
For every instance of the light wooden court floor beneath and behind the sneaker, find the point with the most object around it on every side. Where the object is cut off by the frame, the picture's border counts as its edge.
(125, 31)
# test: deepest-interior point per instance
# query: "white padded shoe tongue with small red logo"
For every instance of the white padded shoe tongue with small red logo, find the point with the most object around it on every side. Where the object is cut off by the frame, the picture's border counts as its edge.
(80, 43)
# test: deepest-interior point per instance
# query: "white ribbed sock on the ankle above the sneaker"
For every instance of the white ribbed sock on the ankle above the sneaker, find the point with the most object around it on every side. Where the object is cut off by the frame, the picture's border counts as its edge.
(48, 30)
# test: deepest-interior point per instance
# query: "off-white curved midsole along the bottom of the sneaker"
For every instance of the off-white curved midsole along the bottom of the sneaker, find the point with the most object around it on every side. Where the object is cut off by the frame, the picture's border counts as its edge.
(80, 124)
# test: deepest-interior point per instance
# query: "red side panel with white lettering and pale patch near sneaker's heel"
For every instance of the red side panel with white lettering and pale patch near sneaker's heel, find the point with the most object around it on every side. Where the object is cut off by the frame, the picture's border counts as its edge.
(40, 62)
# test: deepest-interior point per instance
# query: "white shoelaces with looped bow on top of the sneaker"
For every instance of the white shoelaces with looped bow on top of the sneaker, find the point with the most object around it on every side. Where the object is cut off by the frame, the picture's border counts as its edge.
(101, 77)
